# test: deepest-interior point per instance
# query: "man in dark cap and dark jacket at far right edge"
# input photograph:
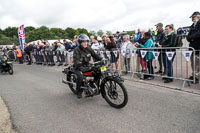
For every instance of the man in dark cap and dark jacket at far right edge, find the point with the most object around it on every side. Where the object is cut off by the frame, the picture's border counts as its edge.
(194, 39)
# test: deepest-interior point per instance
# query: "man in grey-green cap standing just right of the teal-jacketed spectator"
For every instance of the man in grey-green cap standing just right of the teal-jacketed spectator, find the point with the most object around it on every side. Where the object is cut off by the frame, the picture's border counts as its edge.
(158, 42)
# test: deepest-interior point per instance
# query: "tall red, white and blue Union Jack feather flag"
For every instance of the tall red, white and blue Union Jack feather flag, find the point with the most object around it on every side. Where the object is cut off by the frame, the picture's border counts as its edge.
(21, 34)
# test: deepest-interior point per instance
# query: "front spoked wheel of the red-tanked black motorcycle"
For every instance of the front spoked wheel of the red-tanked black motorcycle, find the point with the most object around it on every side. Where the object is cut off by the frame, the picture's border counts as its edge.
(115, 93)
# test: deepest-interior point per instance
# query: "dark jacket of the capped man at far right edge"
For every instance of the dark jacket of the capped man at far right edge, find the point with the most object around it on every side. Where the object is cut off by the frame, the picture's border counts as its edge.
(194, 36)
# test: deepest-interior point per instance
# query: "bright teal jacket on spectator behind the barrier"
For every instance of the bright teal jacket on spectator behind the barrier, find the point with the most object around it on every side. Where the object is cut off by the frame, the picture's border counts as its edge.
(149, 44)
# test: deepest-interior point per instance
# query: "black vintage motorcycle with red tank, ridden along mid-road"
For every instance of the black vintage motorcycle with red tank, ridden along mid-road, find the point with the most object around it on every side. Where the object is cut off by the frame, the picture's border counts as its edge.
(99, 80)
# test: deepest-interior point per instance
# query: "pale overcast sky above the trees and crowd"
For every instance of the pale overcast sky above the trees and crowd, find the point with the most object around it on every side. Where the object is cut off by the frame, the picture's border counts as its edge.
(113, 15)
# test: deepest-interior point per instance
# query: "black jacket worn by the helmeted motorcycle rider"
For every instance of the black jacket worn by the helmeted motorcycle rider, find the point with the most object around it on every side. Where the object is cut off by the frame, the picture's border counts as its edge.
(82, 56)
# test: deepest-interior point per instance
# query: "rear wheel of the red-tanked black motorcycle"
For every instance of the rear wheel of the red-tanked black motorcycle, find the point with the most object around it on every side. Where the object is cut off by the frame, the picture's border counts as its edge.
(72, 78)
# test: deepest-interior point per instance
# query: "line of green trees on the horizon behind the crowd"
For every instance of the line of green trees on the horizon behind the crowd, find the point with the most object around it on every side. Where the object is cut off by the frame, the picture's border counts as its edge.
(10, 34)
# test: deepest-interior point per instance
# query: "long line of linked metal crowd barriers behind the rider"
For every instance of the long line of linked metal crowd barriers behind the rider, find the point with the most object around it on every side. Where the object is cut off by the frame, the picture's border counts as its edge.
(131, 61)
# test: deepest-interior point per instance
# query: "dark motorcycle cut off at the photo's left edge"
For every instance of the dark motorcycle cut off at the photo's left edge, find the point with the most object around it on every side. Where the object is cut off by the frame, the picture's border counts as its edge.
(5, 64)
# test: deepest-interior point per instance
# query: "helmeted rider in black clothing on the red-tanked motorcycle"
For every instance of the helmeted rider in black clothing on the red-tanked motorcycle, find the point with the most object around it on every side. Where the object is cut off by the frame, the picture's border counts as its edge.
(81, 57)
